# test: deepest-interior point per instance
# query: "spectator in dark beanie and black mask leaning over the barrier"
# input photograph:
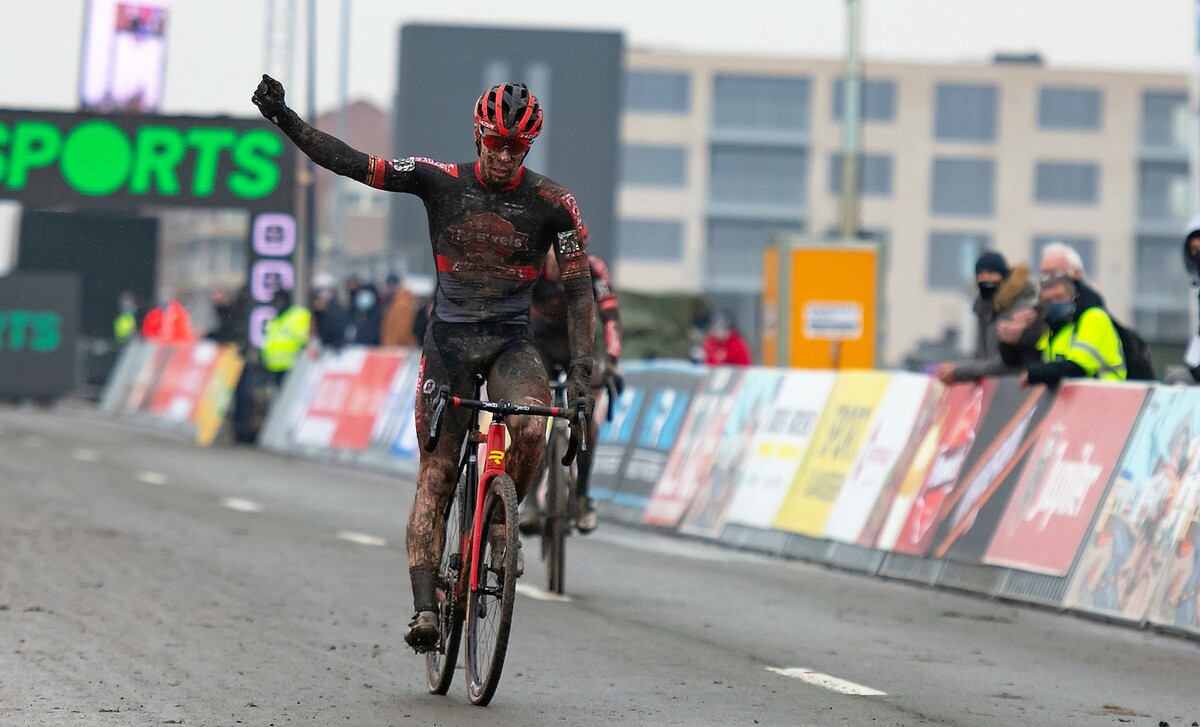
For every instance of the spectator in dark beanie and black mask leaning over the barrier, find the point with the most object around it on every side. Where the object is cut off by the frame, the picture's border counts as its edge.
(1003, 291)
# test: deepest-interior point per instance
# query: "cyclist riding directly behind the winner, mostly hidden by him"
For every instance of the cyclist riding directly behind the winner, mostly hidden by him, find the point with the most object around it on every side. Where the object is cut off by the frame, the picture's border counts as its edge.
(550, 332)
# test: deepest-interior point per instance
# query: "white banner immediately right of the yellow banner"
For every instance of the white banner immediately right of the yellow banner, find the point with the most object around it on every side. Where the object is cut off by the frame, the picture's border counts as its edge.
(889, 435)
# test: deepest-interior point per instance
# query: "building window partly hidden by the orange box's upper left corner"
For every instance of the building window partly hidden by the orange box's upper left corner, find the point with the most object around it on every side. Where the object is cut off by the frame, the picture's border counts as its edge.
(734, 259)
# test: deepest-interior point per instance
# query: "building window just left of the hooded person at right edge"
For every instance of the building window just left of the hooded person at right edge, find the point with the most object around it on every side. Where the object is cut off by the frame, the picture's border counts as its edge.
(1161, 290)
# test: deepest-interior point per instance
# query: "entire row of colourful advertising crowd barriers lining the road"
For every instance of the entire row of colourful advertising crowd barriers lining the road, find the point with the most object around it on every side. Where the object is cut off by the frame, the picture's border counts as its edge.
(1085, 498)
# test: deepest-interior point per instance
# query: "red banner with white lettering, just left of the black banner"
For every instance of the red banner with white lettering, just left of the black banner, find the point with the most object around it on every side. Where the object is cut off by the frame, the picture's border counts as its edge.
(913, 520)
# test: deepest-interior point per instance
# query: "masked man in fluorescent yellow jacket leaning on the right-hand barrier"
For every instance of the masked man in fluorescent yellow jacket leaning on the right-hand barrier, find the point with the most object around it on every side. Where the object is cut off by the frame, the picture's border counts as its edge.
(1076, 344)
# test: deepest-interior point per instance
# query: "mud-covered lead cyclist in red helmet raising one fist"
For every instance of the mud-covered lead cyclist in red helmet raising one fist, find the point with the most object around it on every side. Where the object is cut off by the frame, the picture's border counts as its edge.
(493, 224)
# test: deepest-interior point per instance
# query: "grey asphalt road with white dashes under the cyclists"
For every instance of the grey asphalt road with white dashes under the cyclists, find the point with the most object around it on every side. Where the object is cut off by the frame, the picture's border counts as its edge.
(145, 581)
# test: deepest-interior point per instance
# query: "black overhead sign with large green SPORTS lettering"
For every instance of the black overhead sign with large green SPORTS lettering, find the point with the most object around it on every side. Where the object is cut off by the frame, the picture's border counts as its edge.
(71, 161)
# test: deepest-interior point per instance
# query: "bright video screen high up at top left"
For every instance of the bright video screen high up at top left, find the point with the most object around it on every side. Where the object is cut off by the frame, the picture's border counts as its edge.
(124, 56)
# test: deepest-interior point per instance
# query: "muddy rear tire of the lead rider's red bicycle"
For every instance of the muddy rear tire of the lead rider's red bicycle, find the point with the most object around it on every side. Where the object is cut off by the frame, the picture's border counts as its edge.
(441, 663)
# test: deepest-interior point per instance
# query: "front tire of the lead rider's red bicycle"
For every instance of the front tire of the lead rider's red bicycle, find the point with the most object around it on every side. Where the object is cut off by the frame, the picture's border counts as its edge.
(490, 605)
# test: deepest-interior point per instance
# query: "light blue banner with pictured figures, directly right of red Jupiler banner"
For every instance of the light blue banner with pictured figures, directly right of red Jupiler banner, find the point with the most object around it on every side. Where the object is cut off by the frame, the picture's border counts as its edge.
(1138, 531)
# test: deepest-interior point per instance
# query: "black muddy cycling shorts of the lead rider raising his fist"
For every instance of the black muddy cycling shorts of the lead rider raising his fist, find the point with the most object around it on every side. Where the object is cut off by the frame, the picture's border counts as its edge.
(455, 353)
